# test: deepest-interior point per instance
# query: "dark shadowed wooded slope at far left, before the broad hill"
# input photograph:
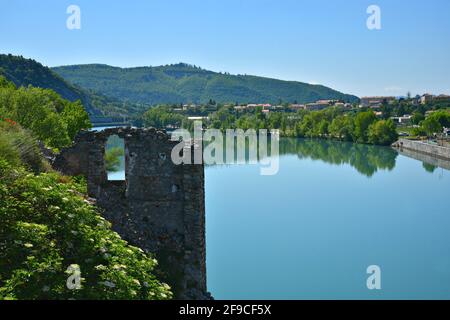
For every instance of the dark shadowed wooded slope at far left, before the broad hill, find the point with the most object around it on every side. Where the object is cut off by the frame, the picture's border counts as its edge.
(24, 72)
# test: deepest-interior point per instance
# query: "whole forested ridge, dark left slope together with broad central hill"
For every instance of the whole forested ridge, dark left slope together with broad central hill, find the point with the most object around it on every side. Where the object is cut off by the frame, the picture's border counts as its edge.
(122, 92)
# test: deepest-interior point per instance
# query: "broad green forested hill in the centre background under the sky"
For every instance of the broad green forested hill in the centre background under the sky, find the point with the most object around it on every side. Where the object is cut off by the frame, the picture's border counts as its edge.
(183, 83)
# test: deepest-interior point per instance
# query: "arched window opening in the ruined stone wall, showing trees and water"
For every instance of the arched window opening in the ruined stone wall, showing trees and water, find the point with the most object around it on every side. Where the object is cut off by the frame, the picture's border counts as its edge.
(115, 158)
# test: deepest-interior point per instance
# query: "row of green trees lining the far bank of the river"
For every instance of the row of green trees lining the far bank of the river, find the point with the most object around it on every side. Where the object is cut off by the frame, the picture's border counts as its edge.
(331, 123)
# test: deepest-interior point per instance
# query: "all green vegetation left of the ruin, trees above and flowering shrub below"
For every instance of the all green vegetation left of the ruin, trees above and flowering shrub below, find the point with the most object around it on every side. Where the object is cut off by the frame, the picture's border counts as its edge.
(50, 231)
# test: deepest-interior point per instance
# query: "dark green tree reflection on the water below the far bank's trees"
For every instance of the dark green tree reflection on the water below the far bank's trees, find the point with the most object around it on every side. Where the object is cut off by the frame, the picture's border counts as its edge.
(366, 159)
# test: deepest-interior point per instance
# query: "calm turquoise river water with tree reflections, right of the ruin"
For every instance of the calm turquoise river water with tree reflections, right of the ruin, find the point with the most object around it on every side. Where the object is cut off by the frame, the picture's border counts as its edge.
(333, 209)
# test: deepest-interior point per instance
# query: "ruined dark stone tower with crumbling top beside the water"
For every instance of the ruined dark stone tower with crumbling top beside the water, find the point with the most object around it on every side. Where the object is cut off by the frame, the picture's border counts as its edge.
(159, 207)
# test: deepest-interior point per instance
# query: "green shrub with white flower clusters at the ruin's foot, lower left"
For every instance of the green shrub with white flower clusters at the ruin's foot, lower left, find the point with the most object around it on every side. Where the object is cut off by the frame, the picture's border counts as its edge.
(47, 226)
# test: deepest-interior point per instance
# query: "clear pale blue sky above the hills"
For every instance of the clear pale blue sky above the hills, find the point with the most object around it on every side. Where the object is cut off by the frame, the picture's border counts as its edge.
(316, 41)
